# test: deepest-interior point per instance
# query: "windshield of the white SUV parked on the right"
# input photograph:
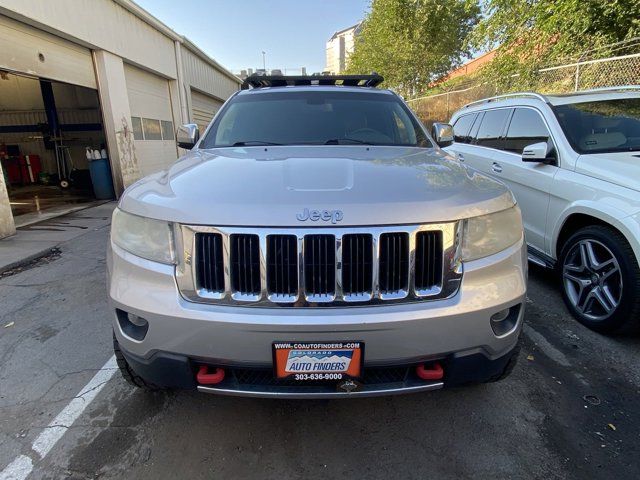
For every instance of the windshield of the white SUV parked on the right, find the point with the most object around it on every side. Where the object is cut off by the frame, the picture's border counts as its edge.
(601, 127)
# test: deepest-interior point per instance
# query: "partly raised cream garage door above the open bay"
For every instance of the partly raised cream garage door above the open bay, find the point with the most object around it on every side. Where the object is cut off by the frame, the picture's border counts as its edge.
(28, 50)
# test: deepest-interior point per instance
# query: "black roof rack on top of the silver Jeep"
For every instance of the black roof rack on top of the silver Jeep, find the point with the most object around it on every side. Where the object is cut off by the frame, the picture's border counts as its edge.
(265, 81)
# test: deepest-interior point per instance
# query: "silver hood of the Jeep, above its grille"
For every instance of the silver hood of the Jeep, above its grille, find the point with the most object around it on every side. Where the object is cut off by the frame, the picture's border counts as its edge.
(260, 186)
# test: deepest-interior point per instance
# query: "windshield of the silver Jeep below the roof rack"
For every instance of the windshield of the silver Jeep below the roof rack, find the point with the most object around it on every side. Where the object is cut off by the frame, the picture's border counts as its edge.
(315, 118)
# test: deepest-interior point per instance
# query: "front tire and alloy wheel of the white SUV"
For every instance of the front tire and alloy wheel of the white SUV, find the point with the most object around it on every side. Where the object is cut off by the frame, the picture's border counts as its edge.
(600, 279)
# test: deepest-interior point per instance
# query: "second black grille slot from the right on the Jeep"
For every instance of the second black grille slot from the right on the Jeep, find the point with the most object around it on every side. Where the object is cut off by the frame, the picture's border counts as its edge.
(394, 263)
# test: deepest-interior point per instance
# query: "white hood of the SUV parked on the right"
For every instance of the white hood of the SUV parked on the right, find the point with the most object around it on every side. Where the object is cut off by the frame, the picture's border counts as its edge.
(621, 168)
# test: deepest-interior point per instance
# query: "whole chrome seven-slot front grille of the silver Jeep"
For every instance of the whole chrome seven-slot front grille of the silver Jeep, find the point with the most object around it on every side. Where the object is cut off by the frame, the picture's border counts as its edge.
(317, 267)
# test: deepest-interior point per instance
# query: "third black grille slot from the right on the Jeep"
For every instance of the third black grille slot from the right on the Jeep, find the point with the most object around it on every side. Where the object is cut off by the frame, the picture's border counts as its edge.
(357, 264)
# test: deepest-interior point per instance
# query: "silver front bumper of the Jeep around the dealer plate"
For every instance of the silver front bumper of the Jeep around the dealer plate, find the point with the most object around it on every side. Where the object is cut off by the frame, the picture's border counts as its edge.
(450, 330)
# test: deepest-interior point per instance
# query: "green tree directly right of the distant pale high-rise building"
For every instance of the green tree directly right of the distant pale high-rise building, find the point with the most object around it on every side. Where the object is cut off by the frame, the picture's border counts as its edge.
(413, 42)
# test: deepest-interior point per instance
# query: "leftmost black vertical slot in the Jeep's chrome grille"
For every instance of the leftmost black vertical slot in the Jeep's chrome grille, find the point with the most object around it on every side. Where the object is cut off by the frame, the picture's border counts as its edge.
(210, 262)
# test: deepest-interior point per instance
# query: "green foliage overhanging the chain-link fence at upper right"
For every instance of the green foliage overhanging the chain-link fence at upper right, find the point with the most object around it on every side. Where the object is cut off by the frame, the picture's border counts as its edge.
(533, 34)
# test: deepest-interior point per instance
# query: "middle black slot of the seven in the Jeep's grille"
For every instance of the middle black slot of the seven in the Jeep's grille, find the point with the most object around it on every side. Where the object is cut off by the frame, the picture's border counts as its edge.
(320, 265)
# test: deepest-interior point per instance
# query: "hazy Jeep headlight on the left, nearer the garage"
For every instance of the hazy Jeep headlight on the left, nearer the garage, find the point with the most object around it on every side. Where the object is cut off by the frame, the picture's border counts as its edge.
(143, 237)
